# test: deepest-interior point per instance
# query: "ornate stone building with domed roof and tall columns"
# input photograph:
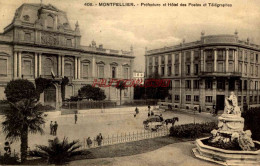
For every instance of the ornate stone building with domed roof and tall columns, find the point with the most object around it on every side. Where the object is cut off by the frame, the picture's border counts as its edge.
(40, 41)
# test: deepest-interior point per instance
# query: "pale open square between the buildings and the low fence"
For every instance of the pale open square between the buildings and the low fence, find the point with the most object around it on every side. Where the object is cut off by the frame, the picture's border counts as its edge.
(89, 125)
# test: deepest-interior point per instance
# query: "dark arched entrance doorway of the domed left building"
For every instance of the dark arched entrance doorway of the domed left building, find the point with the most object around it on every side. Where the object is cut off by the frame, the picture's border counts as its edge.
(50, 96)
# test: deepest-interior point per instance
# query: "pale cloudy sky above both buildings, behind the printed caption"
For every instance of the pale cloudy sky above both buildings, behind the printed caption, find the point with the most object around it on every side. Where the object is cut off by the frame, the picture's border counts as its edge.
(151, 27)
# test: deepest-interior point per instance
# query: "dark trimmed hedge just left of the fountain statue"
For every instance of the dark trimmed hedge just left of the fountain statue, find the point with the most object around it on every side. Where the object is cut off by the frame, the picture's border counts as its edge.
(192, 130)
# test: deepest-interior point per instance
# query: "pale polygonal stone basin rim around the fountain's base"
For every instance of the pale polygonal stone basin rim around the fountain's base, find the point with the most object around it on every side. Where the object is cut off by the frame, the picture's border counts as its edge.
(226, 157)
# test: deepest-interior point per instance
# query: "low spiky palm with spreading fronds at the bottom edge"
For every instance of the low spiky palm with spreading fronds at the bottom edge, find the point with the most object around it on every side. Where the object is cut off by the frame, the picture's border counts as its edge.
(57, 152)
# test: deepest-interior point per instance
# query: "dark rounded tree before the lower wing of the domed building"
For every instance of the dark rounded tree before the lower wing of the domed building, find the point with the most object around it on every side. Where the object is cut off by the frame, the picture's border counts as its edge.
(90, 92)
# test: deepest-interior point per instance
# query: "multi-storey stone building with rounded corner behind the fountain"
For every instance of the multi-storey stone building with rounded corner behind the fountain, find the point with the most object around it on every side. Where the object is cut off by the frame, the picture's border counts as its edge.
(205, 71)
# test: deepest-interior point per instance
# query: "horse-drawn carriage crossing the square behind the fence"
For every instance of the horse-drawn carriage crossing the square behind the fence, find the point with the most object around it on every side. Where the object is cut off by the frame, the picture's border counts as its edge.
(155, 123)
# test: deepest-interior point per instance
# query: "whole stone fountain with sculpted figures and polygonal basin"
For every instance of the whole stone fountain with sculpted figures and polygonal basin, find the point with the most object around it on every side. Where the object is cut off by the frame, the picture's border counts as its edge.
(229, 144)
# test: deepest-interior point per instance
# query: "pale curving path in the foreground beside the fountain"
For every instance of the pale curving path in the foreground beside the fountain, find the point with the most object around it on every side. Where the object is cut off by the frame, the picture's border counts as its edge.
(177, 154)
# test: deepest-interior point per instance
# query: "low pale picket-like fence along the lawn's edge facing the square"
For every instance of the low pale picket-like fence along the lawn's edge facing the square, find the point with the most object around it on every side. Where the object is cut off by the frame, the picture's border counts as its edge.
(124, 137)
